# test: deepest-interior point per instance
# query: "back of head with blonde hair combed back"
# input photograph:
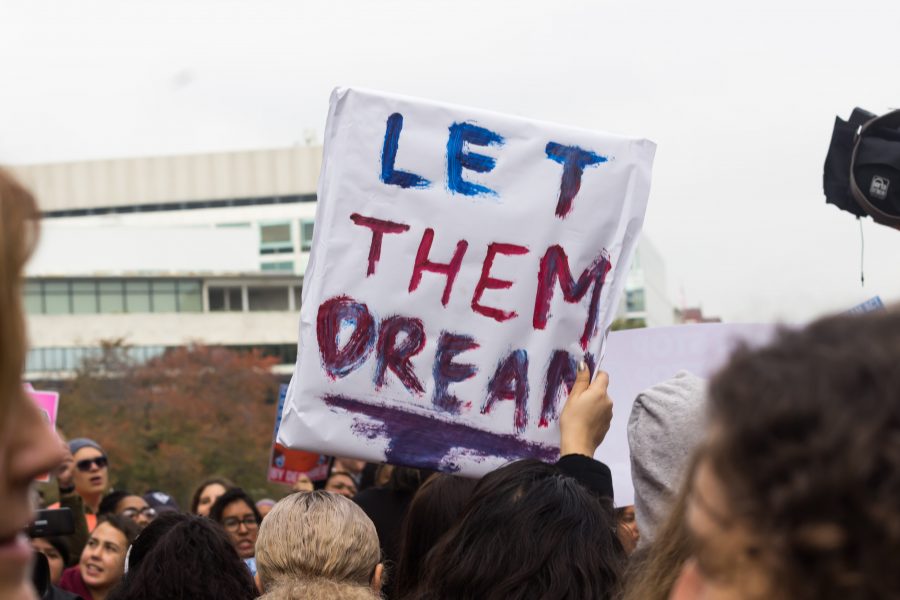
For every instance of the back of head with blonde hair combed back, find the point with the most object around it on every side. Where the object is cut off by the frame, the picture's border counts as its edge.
(317, 535)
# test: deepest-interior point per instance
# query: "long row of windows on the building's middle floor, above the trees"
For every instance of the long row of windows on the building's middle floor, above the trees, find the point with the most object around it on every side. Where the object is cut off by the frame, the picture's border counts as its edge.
(118, 296)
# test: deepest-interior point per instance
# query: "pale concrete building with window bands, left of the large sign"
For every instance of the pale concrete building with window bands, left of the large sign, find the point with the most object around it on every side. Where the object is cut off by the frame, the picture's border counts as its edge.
(163, 252)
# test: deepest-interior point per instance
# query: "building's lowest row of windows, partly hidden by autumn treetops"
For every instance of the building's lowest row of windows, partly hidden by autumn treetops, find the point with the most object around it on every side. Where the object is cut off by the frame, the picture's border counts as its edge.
(71, 359)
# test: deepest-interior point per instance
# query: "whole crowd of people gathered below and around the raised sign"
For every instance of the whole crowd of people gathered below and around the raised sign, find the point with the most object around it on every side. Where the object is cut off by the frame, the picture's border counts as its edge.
(779, 478)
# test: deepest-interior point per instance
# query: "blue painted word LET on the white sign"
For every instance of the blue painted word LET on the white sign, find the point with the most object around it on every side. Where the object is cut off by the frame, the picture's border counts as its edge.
(462, 136)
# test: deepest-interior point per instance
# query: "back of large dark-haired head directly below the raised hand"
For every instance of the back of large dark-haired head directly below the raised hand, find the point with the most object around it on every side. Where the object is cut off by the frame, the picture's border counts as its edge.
(528, 532)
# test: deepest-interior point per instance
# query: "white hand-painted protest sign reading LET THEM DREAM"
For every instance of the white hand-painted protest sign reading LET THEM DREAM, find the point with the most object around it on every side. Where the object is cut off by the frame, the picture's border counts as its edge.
(462, 263)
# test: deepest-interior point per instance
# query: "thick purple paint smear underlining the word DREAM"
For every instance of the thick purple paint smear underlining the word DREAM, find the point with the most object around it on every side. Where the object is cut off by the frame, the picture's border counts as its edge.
(425, 441)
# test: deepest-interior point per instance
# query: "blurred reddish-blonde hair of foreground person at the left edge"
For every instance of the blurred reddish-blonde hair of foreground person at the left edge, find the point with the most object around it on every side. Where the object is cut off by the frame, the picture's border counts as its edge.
(18, 237)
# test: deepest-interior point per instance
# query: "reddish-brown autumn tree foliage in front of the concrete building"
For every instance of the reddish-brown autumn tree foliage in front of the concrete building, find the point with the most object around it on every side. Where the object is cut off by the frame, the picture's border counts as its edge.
(167, 424)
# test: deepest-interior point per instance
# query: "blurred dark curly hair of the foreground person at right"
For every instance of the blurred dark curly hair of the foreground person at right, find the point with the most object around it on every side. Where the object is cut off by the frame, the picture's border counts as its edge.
(807, 450)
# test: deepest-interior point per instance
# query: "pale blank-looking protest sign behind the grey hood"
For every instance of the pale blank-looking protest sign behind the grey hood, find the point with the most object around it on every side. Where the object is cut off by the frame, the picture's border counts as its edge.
(639, 358)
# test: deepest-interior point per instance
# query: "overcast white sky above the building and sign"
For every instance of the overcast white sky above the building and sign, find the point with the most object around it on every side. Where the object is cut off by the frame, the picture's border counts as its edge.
(740, 98)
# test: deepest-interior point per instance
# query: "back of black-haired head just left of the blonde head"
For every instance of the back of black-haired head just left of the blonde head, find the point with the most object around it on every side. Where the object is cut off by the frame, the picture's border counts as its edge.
(194, 559)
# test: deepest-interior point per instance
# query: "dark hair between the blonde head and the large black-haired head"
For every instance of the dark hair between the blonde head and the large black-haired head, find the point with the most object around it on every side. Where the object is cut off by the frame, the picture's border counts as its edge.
(435, 508)
